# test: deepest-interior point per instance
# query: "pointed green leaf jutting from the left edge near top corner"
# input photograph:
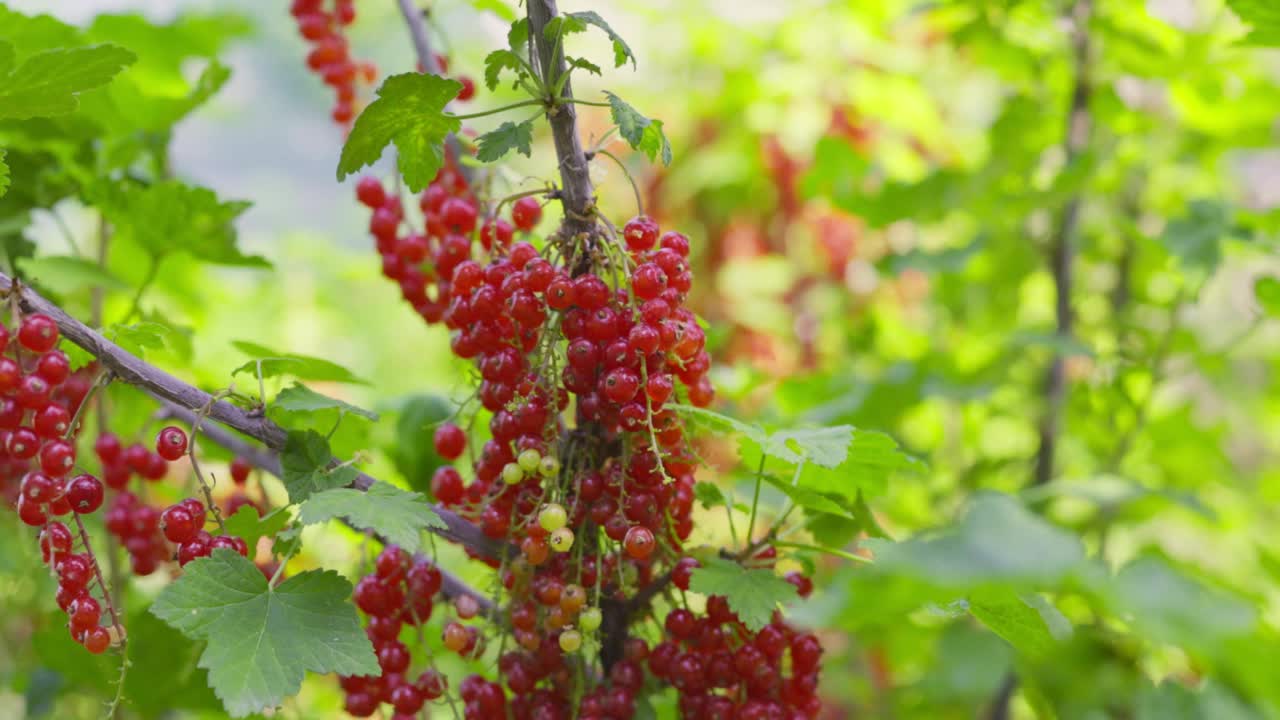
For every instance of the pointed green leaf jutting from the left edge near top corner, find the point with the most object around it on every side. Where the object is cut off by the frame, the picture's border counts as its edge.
(49, 83)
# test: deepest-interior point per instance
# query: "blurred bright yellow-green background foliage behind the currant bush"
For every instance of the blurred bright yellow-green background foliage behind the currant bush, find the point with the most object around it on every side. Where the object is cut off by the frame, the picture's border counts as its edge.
(874, 192)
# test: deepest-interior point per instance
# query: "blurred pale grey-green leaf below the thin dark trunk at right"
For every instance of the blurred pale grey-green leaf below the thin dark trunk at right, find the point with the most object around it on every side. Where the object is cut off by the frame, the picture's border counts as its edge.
(998, 541)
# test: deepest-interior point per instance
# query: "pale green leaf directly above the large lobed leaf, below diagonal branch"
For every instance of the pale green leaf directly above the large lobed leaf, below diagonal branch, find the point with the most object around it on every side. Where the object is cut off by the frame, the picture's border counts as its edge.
(399, 516)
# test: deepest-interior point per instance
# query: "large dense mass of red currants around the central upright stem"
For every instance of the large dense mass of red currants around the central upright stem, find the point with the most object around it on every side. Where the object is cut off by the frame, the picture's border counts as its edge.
(598, 507)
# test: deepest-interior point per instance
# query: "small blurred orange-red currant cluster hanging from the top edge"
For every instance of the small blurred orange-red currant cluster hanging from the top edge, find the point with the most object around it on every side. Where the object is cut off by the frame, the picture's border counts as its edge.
(331, 57)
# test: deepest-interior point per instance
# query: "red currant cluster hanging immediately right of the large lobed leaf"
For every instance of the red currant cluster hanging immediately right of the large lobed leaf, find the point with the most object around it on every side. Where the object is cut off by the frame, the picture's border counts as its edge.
(397, 595)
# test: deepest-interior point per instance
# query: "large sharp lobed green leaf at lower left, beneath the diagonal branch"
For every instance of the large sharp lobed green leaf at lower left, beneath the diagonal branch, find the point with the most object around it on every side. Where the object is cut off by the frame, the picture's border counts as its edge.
(262, 641)
